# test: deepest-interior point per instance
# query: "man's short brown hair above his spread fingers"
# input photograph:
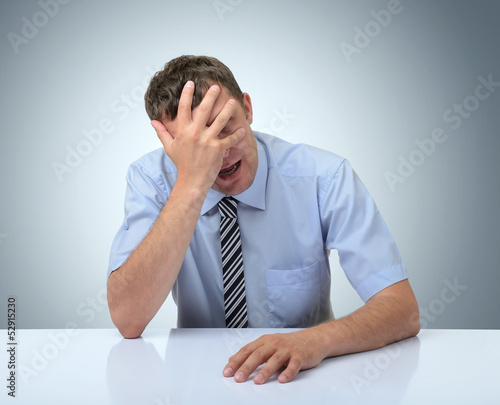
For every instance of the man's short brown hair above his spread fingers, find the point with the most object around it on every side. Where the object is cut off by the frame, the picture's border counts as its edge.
(165, 88)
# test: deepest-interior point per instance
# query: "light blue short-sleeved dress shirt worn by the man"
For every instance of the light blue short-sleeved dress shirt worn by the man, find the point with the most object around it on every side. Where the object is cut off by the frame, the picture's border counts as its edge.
(303, 202)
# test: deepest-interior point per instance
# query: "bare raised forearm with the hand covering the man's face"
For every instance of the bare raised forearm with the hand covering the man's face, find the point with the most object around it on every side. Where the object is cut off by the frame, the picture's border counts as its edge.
(138, 289)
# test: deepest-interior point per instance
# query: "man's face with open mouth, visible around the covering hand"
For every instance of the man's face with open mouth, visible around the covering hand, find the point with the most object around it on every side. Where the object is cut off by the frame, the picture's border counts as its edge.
(240, 163)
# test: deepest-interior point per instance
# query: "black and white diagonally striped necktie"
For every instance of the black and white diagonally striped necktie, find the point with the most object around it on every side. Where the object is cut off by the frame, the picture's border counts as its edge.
(235, 305)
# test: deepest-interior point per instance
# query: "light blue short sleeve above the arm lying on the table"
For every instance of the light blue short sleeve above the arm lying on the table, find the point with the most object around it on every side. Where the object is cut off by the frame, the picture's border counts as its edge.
(353, 225)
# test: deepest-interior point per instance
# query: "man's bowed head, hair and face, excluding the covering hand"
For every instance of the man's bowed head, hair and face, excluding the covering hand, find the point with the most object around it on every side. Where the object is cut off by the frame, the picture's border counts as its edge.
(240, 162)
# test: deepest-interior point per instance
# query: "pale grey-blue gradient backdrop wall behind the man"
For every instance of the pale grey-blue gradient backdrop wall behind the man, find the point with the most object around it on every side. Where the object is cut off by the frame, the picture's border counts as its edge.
(55, 236)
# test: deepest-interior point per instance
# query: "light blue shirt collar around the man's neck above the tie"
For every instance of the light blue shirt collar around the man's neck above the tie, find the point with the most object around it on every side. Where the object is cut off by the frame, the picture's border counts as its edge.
(254, 196)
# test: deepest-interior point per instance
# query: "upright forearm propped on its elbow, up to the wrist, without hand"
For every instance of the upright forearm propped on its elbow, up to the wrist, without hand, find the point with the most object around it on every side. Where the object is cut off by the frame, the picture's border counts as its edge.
(140, 286)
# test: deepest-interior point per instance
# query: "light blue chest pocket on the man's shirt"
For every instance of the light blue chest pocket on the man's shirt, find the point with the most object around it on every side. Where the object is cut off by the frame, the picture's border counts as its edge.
(293, 296)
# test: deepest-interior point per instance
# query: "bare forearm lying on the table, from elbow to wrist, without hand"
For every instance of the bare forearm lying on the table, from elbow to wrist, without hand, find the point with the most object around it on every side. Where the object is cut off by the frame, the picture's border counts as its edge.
(386, 318)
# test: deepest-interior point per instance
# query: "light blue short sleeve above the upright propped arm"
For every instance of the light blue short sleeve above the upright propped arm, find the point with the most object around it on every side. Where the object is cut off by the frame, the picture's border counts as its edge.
(144, 199)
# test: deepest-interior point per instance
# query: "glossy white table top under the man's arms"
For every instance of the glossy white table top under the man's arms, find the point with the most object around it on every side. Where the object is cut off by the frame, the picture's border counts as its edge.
(184, 366)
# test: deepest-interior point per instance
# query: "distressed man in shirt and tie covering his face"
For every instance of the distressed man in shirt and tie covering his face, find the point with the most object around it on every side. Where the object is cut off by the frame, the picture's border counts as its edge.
(293, 202)
